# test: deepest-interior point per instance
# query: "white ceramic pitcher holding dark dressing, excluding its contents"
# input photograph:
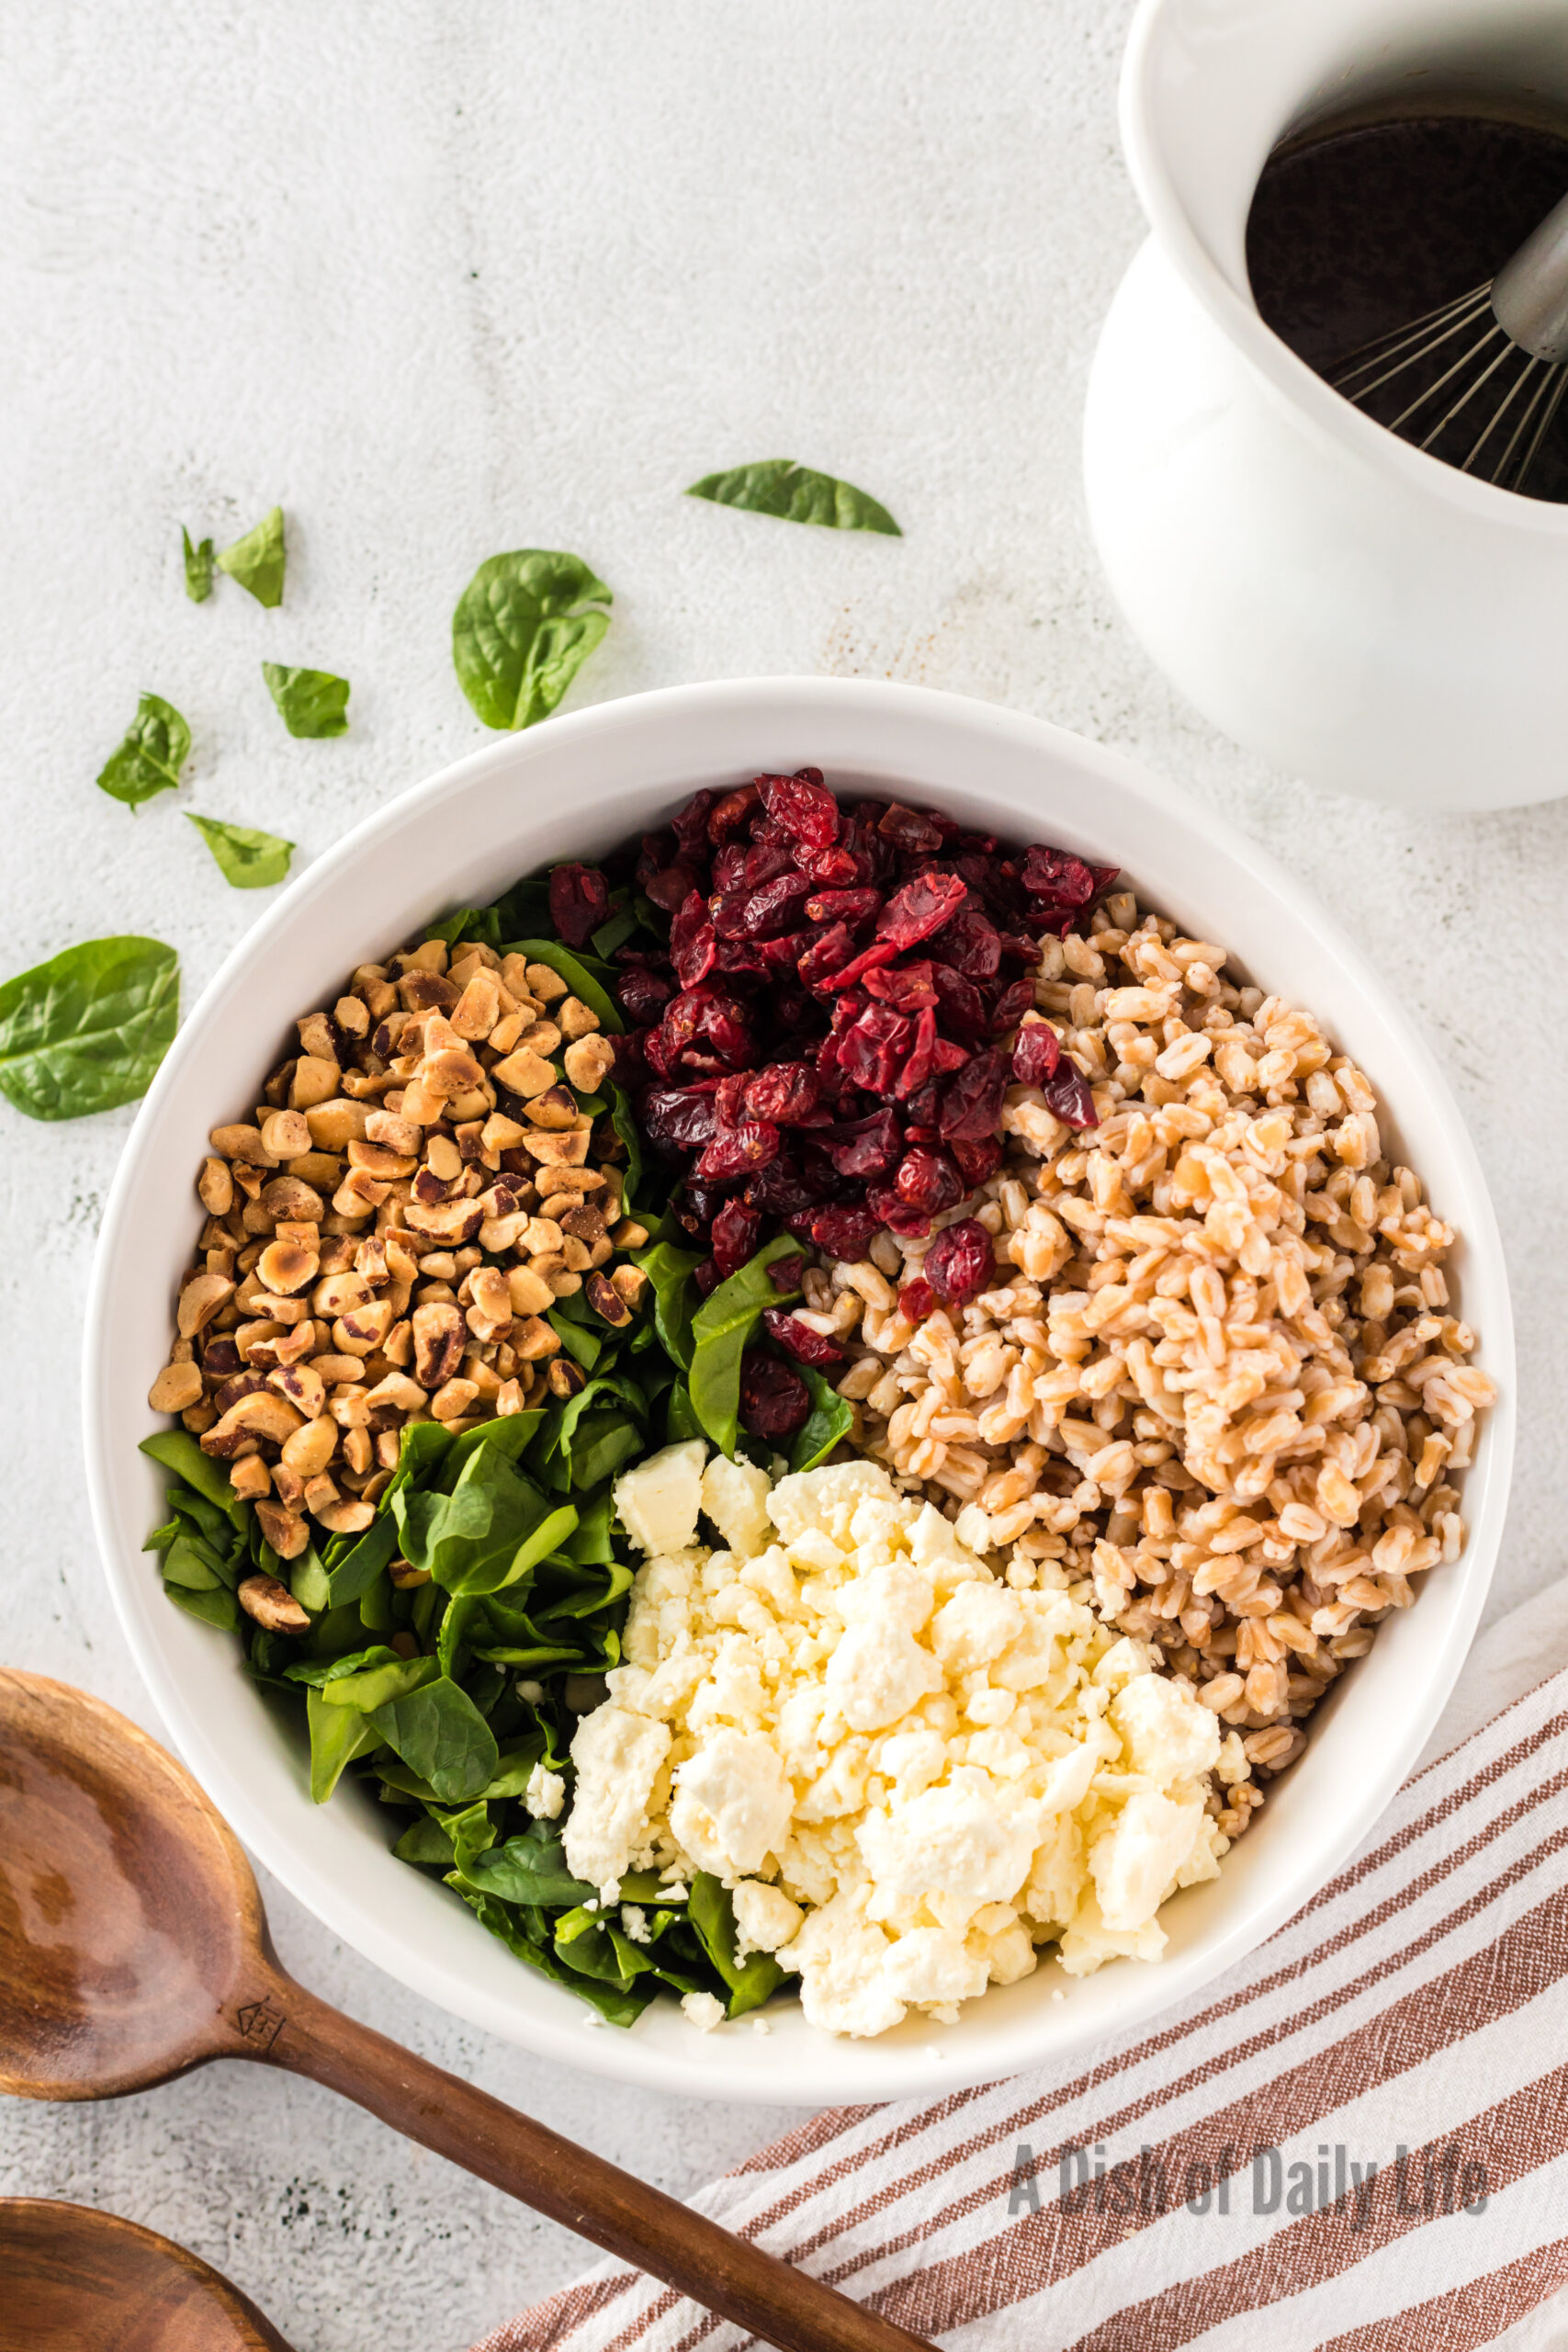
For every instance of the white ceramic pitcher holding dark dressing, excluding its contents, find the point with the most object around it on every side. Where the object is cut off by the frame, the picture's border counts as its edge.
(1322, 592)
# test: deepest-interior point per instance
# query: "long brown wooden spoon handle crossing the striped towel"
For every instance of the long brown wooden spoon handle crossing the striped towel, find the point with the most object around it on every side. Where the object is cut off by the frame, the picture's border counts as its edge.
(572, 2186)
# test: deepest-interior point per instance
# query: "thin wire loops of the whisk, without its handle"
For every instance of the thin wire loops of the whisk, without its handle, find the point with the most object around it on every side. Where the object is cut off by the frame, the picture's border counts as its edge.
(1527, 392)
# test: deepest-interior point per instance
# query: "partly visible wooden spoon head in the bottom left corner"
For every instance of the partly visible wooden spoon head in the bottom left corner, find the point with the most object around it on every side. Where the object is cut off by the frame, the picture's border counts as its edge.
(91, 2283)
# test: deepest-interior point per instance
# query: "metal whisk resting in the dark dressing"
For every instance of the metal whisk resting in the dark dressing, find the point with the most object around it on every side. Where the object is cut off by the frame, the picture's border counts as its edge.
(1494, 359)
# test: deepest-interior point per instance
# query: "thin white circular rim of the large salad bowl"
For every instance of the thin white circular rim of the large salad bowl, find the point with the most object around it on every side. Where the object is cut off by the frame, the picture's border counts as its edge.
(753, 2069)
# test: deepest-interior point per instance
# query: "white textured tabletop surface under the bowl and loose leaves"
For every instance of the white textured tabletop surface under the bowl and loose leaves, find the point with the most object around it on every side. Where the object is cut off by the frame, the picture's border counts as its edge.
(450, 279)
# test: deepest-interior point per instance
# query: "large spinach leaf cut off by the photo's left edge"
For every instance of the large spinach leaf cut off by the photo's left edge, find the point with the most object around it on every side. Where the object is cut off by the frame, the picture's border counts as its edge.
(88, 1029)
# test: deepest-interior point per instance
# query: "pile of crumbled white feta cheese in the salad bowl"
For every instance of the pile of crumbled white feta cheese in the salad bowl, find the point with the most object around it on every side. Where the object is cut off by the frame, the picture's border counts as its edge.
(909, 1770)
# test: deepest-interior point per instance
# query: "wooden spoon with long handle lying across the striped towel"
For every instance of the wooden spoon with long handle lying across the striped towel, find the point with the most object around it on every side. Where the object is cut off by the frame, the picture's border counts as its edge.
(133, 1949)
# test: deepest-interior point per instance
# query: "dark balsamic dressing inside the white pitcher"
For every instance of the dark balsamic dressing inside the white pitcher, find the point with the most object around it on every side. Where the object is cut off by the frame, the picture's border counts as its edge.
(1360, 229)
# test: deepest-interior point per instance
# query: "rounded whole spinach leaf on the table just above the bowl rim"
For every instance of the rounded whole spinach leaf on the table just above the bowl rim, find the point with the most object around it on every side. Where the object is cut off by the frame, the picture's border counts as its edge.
(525, 627)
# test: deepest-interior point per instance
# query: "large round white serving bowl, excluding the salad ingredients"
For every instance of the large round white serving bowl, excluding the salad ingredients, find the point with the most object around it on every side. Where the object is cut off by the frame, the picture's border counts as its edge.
(579, 787)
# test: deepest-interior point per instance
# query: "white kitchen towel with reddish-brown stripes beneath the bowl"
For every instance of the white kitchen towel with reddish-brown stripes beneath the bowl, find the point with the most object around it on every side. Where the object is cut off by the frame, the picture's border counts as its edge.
(1358, 2141)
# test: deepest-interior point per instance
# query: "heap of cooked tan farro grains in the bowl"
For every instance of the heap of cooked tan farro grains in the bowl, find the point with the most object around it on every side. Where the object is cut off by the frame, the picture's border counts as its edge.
(1221, 1379)
